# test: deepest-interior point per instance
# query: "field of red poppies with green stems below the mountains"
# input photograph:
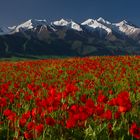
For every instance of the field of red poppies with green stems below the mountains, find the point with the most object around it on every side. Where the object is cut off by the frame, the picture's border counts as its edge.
(91, 98)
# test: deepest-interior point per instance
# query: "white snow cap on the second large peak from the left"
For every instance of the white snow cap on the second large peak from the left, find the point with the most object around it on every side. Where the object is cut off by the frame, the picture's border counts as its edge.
(70, 24)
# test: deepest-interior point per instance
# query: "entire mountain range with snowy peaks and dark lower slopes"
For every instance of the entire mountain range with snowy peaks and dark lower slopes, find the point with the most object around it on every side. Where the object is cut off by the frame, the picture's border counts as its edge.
(69, 38)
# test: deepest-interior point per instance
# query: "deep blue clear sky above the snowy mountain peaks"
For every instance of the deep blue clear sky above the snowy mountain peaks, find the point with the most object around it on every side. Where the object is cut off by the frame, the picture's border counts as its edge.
(13, 12)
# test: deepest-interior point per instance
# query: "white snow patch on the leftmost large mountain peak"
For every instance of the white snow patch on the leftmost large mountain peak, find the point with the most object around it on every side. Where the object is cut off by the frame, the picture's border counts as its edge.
(30, 24)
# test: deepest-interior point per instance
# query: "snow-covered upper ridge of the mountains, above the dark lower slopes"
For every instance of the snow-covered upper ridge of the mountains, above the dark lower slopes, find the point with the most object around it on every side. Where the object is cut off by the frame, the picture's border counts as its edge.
(93, 25)
